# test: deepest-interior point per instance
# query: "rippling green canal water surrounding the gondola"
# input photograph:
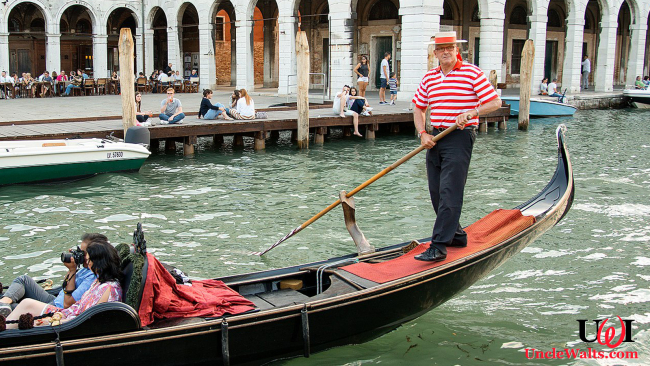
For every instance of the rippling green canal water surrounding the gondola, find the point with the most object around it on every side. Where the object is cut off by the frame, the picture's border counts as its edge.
(205, 214)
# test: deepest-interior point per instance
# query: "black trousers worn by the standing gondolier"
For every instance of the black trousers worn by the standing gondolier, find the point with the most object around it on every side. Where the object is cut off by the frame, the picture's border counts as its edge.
(447, 166)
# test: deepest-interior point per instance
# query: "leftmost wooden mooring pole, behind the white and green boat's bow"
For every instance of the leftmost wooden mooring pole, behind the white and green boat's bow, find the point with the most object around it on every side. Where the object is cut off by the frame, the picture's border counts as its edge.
(125, 47)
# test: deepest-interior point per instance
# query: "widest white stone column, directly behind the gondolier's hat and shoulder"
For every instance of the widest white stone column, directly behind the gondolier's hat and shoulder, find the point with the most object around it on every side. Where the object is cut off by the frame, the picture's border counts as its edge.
(420, 21)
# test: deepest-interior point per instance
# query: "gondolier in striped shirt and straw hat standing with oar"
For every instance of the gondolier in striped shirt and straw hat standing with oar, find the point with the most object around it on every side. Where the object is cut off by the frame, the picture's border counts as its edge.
(457, 93)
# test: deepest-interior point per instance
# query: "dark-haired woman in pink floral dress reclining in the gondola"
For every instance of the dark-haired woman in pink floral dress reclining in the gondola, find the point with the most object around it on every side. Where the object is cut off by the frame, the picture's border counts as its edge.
(104, 261)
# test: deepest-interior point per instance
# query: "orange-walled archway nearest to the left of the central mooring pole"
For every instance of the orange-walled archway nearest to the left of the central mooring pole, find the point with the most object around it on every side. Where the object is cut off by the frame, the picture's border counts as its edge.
(265, 43)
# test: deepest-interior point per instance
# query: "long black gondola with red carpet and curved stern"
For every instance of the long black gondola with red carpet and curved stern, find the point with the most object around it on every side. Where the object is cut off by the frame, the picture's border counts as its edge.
(344, 300)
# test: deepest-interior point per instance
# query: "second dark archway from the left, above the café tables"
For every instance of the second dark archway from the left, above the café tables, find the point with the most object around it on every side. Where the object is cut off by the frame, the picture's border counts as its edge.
(76, 28)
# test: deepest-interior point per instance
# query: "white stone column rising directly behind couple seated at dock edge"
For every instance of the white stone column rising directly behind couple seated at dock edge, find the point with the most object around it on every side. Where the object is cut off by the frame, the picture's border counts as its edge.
(342, 33)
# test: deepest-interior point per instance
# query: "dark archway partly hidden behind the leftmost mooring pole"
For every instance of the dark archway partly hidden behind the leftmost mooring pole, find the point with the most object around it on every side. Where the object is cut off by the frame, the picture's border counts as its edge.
(118, 19)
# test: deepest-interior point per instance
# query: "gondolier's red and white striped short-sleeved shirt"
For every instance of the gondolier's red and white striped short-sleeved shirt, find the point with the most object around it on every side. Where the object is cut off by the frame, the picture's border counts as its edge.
(462, 90)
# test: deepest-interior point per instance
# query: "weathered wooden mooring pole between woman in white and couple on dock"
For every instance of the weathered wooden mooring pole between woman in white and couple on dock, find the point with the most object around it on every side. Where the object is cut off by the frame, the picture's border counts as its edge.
(302, 61)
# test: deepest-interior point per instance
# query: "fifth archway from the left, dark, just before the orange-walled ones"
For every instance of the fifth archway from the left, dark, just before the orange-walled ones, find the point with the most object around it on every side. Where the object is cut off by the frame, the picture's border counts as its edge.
(188, 35)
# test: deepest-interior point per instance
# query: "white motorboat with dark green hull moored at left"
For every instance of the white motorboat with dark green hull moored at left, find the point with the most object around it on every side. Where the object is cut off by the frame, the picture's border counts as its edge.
(50, 160)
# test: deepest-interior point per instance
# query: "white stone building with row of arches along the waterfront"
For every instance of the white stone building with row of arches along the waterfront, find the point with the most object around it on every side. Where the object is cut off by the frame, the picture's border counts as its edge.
(251, 43)
